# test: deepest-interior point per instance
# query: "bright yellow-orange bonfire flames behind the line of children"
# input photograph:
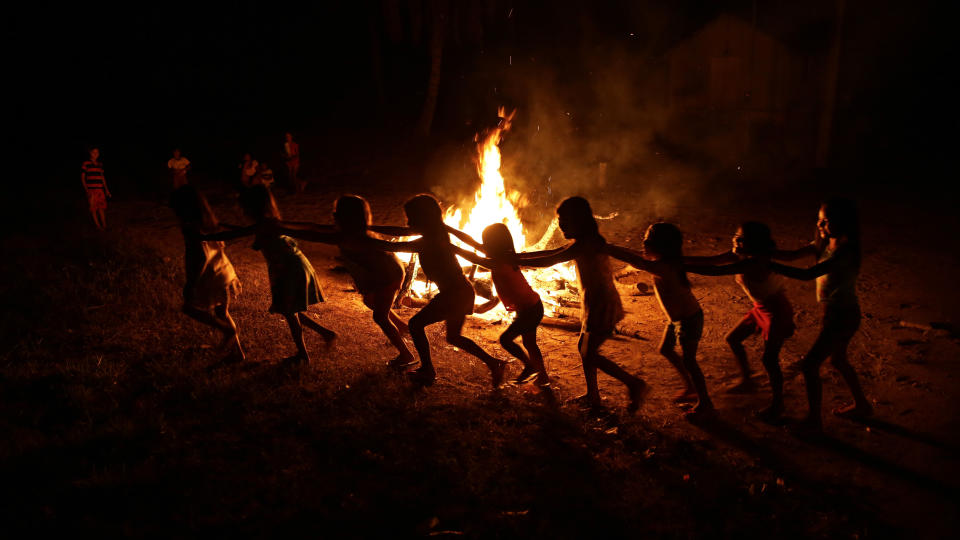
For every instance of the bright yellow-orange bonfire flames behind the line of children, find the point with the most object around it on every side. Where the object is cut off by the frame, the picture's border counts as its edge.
(492, 204)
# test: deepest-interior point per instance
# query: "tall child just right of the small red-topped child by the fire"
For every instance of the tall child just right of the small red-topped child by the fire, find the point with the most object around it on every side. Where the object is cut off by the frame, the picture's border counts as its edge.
(599, 300)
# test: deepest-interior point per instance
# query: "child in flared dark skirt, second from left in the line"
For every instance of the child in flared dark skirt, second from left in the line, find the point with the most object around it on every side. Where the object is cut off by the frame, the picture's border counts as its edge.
(293, 283)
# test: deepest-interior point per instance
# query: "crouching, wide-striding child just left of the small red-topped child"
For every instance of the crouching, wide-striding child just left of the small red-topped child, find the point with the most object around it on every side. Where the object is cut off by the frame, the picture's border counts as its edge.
(453, 302)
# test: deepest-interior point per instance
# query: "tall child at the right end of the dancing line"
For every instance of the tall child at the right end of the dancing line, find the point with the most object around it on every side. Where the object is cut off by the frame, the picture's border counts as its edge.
(837, 249)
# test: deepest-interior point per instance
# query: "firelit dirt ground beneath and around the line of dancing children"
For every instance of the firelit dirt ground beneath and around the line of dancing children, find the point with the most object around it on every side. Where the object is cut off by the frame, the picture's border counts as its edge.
(895, 475)
